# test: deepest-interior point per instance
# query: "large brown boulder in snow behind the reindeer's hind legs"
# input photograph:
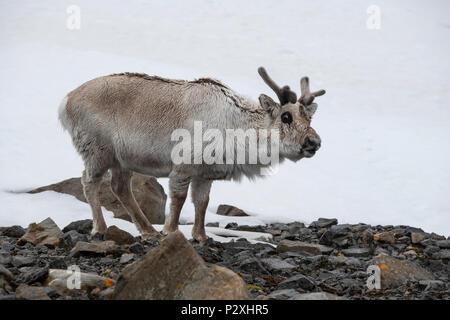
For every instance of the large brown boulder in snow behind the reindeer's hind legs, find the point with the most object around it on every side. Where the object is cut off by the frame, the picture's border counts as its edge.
(148, 193)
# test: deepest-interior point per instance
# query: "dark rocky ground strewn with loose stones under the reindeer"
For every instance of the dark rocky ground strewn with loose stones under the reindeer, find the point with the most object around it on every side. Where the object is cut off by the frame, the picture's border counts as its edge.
(325, 260)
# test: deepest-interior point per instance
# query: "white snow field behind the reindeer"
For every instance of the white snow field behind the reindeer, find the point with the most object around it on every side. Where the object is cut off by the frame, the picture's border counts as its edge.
(384, 121)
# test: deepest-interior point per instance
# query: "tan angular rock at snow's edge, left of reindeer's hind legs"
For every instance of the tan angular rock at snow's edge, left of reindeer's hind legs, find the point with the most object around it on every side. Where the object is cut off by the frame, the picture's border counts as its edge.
(45, 233)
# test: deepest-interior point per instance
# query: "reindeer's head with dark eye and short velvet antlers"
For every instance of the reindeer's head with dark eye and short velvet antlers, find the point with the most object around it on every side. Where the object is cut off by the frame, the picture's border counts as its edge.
(292, 117)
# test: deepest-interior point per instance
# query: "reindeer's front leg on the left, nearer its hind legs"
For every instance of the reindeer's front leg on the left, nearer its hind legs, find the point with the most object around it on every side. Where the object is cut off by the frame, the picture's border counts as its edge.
(178, 187)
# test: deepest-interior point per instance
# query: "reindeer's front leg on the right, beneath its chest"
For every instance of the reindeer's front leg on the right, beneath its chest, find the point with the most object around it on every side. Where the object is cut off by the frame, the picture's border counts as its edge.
(200, 198)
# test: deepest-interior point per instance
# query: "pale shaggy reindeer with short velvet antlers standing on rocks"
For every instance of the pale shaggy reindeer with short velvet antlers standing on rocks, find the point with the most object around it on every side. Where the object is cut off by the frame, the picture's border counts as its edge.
(123, 123)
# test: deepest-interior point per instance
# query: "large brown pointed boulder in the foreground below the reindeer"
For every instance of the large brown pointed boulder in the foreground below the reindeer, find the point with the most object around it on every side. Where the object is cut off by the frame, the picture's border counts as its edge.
(174, 270)
